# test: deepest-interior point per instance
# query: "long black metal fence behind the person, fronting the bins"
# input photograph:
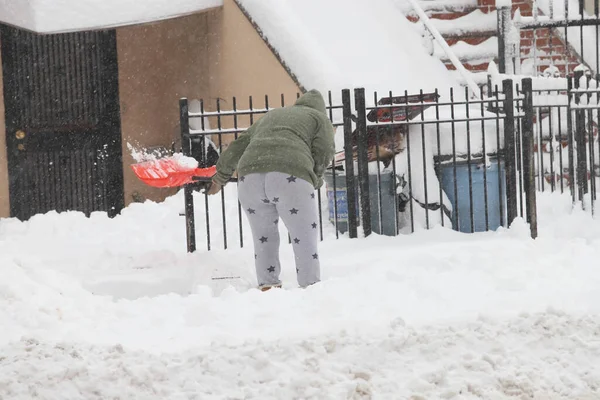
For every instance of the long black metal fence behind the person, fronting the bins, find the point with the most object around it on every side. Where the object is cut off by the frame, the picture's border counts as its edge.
(405, 162)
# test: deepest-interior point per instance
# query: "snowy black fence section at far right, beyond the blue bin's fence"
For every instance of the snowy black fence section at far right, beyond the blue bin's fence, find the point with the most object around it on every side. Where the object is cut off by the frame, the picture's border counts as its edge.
(567, 148)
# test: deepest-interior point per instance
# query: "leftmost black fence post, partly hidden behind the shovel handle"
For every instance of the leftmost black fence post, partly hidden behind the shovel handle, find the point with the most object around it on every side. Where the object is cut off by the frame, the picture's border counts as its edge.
(190, 226)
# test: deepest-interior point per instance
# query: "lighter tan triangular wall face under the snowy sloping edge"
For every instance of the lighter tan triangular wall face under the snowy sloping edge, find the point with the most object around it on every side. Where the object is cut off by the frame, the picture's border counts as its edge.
(245, 66)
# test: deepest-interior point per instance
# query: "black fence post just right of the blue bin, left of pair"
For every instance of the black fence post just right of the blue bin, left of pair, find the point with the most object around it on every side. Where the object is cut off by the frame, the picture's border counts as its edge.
(509, 151)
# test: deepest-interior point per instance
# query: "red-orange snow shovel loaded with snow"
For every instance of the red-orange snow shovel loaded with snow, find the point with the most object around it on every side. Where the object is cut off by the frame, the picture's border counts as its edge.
(169, 172)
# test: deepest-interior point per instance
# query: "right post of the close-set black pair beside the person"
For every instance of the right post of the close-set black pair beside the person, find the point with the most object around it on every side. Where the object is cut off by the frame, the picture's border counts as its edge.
(363, 159)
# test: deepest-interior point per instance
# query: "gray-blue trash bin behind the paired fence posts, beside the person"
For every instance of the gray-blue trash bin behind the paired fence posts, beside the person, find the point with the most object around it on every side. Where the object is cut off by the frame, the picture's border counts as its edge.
(388, 200)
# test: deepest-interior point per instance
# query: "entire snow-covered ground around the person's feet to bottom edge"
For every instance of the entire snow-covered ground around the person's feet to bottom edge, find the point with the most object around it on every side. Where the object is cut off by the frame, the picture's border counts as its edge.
(103, 309)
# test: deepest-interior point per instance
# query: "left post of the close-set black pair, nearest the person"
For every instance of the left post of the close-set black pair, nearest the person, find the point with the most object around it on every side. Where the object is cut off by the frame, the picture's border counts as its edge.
(349, 164)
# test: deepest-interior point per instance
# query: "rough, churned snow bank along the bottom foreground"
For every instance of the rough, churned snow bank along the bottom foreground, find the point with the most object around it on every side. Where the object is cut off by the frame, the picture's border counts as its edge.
(547, 355)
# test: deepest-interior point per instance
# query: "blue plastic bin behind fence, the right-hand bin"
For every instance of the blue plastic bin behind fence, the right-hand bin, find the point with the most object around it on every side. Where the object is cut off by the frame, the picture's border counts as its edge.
(496, 193)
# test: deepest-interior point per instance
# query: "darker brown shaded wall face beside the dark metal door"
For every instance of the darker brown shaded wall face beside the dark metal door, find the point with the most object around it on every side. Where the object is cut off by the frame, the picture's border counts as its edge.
(158, 64)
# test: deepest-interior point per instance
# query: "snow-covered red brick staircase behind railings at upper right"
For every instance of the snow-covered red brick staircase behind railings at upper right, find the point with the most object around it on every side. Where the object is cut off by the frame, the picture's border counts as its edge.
(470, 29)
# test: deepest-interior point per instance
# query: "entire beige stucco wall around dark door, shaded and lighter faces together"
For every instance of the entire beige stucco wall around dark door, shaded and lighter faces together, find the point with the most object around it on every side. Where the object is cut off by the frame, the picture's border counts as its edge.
(215, 54)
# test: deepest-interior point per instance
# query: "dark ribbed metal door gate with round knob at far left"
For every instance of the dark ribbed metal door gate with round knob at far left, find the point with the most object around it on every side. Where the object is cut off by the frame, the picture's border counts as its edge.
(62, 122)
